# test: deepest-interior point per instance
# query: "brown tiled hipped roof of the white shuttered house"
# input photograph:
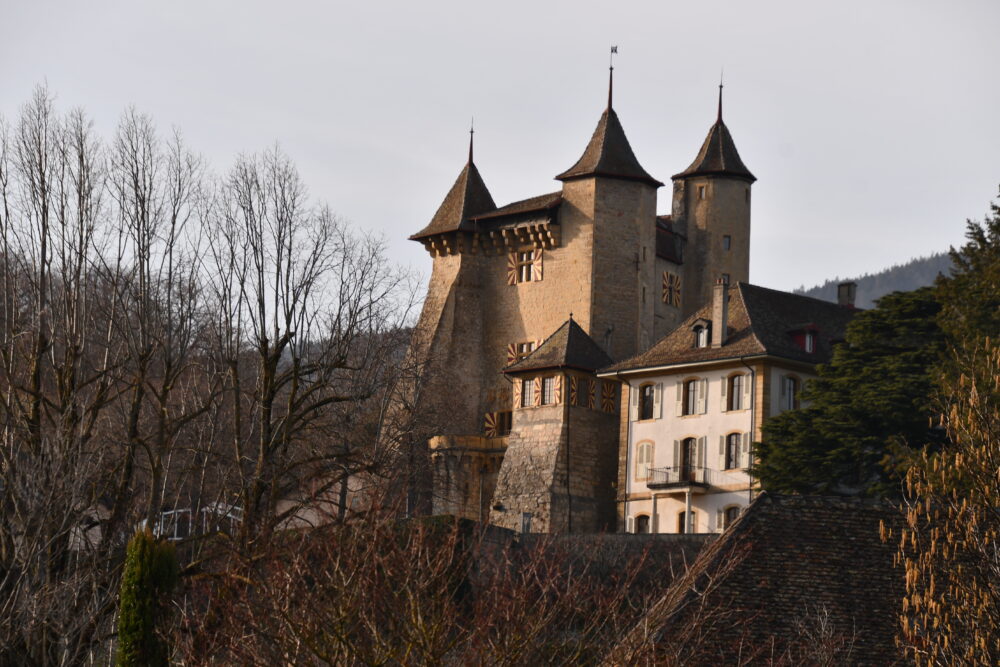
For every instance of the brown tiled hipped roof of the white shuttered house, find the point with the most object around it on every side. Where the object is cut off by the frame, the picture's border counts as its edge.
(761, 321)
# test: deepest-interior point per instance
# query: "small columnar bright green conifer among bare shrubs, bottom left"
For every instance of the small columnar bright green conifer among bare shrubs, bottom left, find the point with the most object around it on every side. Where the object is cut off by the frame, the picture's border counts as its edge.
(151, 572)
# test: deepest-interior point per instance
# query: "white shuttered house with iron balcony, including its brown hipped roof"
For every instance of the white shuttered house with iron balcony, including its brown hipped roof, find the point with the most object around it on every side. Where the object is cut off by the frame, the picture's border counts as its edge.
(698, 398)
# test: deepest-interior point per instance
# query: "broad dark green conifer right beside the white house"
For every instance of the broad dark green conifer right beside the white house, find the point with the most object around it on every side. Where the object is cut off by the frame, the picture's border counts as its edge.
(870, 408)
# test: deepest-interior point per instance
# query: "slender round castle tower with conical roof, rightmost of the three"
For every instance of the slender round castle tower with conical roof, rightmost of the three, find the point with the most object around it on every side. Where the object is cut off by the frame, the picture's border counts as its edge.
(711, 207)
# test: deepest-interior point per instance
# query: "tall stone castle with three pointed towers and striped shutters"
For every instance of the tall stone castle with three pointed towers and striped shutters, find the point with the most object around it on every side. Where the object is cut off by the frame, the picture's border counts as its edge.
(527, 300)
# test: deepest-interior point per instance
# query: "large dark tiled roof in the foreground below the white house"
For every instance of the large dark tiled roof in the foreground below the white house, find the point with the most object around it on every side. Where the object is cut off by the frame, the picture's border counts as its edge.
(778, 570)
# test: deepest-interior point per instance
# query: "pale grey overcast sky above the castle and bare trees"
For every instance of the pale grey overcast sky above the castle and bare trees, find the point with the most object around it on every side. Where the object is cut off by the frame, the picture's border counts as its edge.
(871, 126)
